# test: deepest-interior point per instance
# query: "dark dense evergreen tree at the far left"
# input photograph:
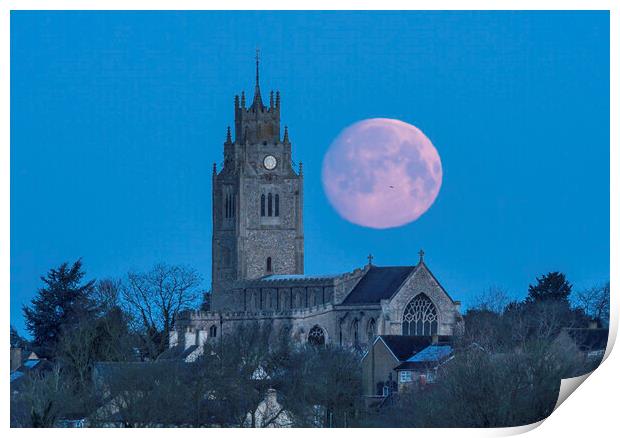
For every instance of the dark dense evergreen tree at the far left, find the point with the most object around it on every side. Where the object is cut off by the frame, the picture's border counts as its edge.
(60, 304)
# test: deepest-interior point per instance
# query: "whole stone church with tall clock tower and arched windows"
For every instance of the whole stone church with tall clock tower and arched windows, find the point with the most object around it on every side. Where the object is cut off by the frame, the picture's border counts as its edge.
(258, 256)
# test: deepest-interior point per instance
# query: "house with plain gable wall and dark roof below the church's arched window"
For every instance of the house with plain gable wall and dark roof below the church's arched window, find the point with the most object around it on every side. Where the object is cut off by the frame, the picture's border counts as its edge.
(386, 353)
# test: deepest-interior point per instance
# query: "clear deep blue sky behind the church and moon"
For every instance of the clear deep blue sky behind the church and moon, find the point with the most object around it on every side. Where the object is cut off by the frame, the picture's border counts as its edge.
(117, 117)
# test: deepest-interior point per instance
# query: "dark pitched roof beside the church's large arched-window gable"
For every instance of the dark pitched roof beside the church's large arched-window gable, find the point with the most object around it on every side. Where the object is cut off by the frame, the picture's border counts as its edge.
(379, 283)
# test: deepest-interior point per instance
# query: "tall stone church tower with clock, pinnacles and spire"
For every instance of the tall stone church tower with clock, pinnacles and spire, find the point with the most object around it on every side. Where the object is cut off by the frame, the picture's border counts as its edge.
(257, 200)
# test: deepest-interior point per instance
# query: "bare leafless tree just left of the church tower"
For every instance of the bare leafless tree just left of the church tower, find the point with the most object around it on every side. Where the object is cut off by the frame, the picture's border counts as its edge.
(156, 297)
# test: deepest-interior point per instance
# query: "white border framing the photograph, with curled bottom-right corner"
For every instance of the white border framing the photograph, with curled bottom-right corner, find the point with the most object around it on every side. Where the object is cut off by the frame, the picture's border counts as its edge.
(593, 414)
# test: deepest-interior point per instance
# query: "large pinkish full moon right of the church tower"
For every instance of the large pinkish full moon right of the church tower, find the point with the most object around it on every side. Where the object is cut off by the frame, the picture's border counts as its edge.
(381, 173)
